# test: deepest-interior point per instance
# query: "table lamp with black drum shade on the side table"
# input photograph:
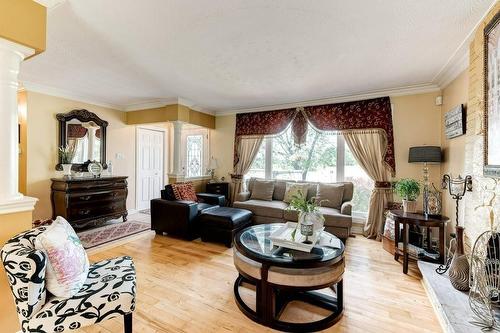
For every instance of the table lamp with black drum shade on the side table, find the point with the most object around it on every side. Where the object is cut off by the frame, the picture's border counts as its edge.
(425, 155)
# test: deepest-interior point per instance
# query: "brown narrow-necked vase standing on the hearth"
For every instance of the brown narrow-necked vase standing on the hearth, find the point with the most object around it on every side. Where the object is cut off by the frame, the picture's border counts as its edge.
(459, 267)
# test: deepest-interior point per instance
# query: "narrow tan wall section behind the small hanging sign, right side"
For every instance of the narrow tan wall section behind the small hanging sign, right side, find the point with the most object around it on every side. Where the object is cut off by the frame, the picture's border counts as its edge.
(454, 94)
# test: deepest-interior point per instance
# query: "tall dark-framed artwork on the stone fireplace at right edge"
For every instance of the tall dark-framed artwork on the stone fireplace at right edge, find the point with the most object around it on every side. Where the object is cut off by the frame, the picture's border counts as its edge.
(492, 98)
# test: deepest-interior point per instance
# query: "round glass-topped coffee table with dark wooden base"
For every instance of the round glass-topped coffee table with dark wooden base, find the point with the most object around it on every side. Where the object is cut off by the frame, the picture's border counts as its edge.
(282, 275)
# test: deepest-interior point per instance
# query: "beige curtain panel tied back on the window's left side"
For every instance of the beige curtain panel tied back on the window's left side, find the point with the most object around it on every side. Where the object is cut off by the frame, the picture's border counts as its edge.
(246, 150)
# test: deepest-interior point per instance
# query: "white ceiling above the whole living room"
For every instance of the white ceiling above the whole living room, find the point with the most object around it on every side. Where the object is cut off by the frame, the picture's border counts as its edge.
(224, 55)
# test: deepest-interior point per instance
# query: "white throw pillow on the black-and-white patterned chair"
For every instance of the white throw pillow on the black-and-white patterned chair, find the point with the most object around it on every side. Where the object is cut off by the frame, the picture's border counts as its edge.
(67, 261)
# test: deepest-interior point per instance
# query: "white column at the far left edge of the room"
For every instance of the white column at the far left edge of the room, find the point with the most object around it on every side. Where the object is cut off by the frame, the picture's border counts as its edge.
(11, 56)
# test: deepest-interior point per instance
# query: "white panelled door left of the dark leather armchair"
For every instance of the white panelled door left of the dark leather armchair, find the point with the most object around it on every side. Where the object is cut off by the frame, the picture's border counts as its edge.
(150, 158)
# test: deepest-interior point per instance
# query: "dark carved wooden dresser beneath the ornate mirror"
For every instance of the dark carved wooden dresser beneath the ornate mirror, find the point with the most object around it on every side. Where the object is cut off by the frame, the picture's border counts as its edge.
(87, 202)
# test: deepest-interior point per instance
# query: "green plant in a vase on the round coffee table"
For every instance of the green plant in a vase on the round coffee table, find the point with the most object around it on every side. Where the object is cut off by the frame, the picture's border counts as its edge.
(309, 215)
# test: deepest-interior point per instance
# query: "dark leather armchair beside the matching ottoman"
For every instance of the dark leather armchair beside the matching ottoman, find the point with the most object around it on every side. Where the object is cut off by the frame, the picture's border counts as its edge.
(180, 218)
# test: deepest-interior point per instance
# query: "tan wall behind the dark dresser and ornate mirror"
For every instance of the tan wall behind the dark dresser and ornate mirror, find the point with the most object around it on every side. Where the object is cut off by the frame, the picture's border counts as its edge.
(43, 144)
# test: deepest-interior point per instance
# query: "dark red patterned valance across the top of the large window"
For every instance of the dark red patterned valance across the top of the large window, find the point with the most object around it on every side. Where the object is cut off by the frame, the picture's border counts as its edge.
(359, 115)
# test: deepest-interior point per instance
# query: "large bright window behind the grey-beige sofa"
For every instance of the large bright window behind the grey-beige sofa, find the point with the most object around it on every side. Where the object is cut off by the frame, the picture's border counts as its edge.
(324, 157)
